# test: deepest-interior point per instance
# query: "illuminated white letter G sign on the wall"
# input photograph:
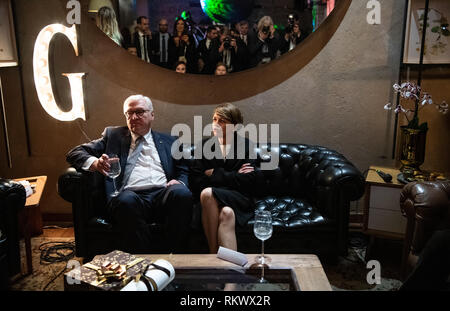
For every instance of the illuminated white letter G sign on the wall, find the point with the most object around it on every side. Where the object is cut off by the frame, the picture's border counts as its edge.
(42, 75)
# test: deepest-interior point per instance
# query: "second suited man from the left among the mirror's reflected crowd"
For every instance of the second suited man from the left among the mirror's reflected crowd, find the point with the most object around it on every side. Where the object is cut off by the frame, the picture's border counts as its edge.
(162, 47)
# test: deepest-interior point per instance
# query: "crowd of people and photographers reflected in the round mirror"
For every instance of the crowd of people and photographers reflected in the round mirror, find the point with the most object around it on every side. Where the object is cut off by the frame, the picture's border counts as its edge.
(215, 49)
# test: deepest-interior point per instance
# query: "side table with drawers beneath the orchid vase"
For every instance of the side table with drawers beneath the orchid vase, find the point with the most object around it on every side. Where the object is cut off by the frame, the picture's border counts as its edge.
(382, 215)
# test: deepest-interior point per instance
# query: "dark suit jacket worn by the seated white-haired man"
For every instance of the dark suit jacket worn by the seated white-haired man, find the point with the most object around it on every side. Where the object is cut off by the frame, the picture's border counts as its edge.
(117, 140)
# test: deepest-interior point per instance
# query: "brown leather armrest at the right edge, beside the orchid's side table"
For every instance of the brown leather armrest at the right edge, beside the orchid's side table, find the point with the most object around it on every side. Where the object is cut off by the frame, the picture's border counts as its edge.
(426, 206)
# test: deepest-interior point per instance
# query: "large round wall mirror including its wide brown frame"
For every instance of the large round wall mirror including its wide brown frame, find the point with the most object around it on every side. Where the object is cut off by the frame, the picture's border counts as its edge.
(156, 36)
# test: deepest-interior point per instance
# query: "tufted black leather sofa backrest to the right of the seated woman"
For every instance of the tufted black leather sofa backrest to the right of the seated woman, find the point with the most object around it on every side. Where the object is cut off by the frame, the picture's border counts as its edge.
(303, 171)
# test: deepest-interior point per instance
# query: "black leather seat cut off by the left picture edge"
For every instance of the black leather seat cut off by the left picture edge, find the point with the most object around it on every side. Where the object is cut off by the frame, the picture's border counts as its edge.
(12, 200)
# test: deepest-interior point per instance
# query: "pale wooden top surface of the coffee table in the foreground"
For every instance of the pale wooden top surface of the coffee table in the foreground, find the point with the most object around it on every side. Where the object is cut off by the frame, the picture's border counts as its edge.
(308, 269)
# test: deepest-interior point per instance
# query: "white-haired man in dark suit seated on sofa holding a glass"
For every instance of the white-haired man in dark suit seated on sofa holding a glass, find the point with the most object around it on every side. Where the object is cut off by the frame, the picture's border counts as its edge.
(153, 185)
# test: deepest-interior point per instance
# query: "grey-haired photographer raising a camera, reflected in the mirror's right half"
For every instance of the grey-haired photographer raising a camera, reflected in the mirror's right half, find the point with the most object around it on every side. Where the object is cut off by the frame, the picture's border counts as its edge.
(265, 45)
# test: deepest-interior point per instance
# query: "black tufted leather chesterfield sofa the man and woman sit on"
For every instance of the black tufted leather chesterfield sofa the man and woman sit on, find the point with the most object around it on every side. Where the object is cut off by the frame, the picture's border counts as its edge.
(308, 194)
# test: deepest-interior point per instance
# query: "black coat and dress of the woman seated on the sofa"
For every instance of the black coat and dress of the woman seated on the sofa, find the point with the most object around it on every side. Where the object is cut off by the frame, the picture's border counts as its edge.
(229, 187)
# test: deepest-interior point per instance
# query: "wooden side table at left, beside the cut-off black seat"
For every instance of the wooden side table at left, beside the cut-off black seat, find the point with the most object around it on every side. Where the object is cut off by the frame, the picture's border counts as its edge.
(30, 218)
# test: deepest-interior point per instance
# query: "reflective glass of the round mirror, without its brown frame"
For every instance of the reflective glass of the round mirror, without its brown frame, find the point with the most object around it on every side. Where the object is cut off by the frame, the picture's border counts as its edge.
(200, 36)
